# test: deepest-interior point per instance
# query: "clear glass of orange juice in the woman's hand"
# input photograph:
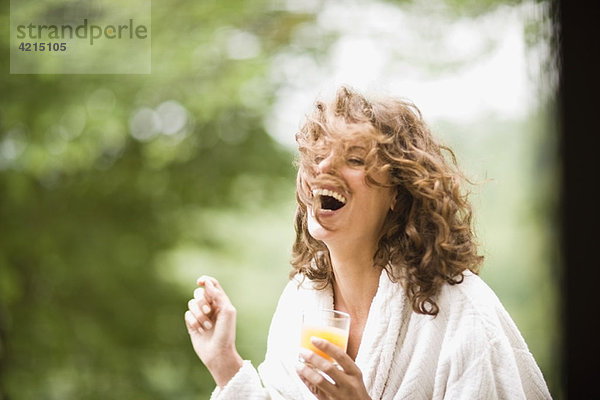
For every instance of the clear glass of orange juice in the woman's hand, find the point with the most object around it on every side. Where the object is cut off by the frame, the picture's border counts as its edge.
(331, 325)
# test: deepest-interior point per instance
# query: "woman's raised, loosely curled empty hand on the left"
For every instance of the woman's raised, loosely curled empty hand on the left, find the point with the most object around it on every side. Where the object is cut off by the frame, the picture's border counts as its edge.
(210, 321)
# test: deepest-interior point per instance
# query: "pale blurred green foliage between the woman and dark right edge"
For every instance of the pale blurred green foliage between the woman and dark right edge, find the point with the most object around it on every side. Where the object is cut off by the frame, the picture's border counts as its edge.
(515, 198)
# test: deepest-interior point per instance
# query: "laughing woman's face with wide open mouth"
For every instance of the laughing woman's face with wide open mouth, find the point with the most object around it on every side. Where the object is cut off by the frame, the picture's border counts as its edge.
(357, 213)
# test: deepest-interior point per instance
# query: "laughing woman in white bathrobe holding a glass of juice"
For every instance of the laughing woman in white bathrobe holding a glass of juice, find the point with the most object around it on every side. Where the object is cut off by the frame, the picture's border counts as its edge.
(383, 233)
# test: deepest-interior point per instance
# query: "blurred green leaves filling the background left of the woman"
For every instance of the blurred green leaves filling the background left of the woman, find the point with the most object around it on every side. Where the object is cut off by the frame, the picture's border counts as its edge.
(100, 175)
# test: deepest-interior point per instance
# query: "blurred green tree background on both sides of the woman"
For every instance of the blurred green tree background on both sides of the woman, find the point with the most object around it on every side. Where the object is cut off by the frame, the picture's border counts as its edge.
(108, 216)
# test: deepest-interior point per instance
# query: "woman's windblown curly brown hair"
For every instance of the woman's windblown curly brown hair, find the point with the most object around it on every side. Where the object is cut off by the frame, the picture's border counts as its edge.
(427, 239)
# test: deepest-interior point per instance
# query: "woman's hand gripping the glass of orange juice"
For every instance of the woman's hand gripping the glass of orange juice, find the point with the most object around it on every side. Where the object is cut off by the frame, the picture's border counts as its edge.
(347, 381)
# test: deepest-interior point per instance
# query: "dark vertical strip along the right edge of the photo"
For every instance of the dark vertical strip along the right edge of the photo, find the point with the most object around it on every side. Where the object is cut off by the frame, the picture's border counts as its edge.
(579, 93)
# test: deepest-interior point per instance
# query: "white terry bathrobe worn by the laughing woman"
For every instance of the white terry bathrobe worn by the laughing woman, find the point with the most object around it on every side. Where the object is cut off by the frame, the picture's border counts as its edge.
(470, 350)
